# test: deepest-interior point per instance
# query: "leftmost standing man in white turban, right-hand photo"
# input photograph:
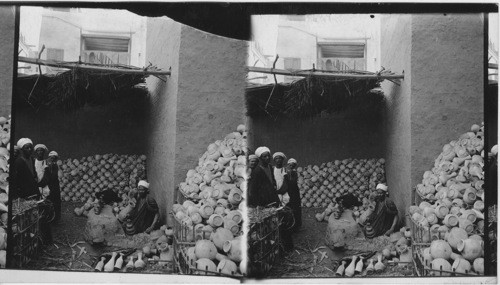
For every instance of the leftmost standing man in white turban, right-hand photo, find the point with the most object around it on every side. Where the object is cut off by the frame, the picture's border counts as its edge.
(262, 186)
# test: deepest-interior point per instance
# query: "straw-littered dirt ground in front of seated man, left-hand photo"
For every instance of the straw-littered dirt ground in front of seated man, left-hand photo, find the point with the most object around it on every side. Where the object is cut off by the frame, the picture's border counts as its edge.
(70, 252)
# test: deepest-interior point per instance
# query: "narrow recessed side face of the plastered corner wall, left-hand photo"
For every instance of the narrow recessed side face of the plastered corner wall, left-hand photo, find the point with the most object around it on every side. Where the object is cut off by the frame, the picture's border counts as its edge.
(163, 43)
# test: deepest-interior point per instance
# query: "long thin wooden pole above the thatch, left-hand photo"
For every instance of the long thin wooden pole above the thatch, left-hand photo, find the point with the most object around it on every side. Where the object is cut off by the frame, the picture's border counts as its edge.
(71, 65)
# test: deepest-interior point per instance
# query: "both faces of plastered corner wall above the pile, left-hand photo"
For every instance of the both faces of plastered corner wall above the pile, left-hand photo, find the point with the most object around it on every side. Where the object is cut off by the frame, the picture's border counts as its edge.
(200, 103)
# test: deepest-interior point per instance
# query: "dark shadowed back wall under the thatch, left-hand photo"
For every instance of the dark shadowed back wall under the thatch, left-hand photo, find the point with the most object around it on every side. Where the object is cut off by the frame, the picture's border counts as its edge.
(117, 127)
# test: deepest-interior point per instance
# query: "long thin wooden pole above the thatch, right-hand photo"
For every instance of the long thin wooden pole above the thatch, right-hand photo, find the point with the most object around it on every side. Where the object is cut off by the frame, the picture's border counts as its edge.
(324, 74)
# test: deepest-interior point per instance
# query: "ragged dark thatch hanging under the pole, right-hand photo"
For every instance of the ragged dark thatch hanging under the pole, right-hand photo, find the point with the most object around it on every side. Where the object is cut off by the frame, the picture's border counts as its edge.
(311, 96)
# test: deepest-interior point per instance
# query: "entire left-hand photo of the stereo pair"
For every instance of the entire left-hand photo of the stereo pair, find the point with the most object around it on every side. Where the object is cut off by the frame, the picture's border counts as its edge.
(129, 144)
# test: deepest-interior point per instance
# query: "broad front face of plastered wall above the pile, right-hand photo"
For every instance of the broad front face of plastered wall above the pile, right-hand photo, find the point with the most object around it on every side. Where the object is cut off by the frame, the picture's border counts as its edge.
(447, 83)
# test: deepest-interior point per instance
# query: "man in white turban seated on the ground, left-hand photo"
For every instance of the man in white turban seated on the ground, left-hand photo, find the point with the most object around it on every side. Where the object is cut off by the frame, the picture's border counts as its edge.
(145, 215)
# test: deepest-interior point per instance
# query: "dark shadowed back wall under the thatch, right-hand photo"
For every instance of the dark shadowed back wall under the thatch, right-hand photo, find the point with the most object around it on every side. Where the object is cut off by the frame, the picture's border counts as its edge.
(350, 134)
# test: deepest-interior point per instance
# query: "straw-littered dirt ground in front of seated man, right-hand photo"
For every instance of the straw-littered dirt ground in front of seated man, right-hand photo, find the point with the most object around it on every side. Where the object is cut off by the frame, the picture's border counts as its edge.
(306, 259)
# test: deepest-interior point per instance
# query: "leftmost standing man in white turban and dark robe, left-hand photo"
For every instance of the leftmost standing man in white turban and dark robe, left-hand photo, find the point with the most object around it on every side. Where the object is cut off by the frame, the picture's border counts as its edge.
(24, 177)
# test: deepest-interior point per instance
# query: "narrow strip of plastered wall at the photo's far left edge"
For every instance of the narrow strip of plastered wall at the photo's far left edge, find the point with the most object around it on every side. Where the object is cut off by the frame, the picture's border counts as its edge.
(7, 24)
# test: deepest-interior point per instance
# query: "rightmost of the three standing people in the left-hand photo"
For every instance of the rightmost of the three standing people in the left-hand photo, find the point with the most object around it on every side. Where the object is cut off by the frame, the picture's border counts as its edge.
(51, 179)
